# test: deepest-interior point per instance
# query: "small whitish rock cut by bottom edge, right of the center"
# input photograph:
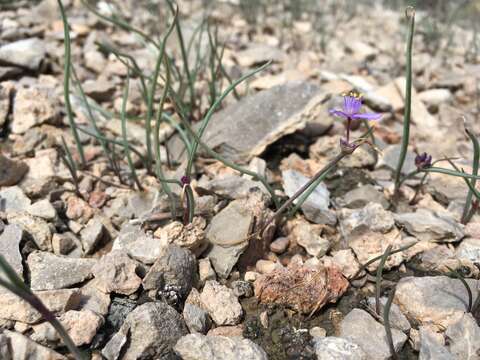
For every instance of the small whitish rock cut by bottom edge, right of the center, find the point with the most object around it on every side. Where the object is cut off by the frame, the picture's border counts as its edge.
(336, 348)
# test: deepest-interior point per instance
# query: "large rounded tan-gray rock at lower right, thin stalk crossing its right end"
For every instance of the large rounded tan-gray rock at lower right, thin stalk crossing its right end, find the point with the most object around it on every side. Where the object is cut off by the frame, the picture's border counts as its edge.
(438, 300)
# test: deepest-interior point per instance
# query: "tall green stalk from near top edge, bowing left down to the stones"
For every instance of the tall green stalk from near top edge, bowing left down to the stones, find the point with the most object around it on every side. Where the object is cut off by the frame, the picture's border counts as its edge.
(153, 86)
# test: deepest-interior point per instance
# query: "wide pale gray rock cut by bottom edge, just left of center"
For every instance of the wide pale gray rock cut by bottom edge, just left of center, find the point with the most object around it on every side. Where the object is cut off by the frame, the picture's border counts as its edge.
(200, 347)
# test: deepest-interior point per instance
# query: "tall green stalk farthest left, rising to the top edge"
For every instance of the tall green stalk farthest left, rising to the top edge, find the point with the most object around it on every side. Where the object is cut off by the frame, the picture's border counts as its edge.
(66, 83)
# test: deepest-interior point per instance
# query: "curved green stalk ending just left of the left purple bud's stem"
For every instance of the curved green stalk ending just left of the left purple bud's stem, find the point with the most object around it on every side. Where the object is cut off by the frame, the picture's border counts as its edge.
(156, 141)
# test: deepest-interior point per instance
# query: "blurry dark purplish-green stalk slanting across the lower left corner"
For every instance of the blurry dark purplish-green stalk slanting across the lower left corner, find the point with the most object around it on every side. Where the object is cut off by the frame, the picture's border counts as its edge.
(16, 286)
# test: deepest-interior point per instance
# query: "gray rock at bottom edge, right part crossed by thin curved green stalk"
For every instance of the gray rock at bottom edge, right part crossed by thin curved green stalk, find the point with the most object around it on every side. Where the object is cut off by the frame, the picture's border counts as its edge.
(362, 329)
